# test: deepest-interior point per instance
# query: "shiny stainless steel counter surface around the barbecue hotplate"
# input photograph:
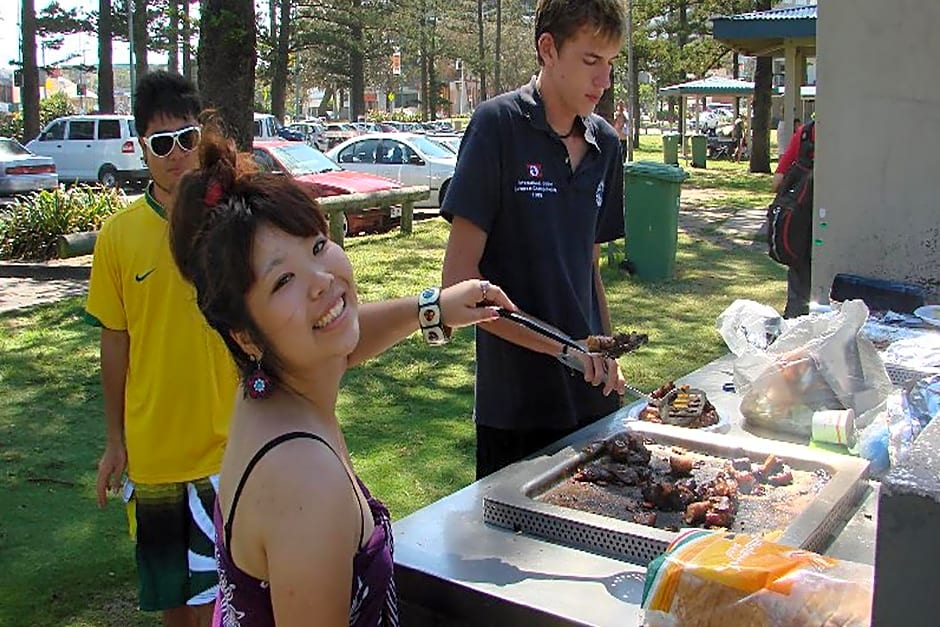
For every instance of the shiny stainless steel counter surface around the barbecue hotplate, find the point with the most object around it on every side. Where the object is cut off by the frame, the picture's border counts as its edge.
(453, 569)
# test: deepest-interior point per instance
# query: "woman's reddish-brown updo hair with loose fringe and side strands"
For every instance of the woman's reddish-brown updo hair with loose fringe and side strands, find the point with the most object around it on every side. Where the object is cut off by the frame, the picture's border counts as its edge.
(218, 209)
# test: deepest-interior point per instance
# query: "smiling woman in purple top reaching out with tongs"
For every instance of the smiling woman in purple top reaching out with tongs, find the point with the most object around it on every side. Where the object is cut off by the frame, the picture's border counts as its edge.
(284, 300)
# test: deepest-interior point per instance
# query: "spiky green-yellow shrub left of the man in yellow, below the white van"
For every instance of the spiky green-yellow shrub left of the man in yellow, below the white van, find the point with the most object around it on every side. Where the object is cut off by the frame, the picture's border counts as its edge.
(34, 223)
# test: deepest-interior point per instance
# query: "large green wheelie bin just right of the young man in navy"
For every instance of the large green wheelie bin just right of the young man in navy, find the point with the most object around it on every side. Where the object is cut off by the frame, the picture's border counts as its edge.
(651, 218)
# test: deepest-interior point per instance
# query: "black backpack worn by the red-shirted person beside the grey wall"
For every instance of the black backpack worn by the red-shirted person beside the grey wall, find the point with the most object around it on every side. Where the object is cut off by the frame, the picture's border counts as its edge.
(790, 215)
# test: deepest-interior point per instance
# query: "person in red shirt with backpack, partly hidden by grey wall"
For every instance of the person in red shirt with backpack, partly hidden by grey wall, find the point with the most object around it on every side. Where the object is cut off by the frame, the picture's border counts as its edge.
(790, 218)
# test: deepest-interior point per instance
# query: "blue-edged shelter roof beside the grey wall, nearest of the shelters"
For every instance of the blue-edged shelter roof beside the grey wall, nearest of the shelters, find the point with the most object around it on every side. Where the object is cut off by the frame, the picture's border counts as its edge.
(762, 33)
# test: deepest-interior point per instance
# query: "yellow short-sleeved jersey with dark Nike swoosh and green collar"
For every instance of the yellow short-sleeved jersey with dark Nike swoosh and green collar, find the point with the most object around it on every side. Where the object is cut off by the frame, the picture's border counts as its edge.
(181, 380)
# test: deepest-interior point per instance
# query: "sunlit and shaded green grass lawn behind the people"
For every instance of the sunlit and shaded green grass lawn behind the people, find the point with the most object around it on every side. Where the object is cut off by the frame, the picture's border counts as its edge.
(406, 414)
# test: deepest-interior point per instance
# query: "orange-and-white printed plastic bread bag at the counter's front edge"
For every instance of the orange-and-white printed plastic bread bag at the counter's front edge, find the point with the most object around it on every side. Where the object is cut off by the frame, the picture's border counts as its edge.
(715, 579)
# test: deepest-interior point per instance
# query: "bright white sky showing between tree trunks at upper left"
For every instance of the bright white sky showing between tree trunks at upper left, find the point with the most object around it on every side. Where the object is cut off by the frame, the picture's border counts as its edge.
(81, 44)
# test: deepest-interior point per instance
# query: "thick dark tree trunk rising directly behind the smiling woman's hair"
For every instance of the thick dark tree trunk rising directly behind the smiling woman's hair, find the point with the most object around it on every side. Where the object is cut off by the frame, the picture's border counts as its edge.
(227, 56)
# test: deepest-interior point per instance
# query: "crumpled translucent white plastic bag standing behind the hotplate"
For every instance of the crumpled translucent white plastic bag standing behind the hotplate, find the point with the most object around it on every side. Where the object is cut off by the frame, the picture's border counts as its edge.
(818, 362)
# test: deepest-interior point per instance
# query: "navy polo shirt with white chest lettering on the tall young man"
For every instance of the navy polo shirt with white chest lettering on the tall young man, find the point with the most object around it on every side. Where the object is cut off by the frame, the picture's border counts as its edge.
(514, 181)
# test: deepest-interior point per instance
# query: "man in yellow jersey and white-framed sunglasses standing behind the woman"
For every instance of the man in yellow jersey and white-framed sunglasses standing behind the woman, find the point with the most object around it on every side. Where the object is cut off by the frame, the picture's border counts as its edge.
(168, 380)
